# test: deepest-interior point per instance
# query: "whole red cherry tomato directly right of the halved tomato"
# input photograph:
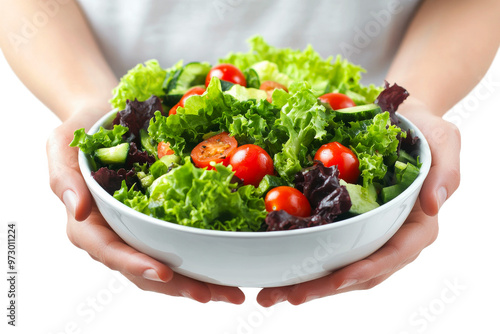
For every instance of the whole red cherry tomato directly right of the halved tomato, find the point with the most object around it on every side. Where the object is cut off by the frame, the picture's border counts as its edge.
(251, 163)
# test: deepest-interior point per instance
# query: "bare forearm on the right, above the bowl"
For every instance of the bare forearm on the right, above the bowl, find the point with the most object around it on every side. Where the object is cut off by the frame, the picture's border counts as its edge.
(447, 50)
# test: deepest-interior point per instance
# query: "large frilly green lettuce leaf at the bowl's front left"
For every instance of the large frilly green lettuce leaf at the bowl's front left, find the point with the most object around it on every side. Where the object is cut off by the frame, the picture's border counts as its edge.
(199, 198)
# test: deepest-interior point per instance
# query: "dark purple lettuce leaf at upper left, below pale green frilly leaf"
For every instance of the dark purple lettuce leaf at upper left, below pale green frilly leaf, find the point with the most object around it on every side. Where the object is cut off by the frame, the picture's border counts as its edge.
(136, 116)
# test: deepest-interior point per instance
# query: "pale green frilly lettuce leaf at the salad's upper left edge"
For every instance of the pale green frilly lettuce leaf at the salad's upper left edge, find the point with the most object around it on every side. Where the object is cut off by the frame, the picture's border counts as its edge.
(139, 83)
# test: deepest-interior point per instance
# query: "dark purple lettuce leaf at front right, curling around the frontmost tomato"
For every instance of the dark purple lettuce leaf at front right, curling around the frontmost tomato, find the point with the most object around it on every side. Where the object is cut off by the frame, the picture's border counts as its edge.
(322, 189)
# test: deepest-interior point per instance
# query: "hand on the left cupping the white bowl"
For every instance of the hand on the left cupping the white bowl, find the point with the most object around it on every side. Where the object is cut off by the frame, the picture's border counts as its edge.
(88, 230)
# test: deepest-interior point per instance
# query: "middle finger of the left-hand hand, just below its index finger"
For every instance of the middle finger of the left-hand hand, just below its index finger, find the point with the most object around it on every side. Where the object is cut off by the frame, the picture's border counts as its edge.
(179, 285)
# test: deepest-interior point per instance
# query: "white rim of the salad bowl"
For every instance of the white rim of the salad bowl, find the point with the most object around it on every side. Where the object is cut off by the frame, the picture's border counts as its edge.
(96, 189)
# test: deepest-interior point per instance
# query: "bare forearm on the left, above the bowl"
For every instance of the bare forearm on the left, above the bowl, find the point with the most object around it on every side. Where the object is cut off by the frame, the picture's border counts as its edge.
(59, 61)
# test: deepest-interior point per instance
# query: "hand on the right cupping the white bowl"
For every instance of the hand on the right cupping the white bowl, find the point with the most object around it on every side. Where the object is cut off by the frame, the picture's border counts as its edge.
(419, 230)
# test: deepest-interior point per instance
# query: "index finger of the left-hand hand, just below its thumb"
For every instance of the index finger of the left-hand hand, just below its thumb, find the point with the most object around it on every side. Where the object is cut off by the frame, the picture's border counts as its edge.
(94, 236)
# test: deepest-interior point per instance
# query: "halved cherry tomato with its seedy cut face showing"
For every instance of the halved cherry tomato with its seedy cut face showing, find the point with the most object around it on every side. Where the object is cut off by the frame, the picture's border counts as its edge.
(216, 149)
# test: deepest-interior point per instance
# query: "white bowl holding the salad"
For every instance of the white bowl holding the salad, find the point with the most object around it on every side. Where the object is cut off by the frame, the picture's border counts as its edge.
(258, 259)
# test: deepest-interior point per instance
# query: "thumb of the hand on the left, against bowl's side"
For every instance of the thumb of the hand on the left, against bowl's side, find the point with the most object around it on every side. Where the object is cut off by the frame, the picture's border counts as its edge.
(66, 180)
